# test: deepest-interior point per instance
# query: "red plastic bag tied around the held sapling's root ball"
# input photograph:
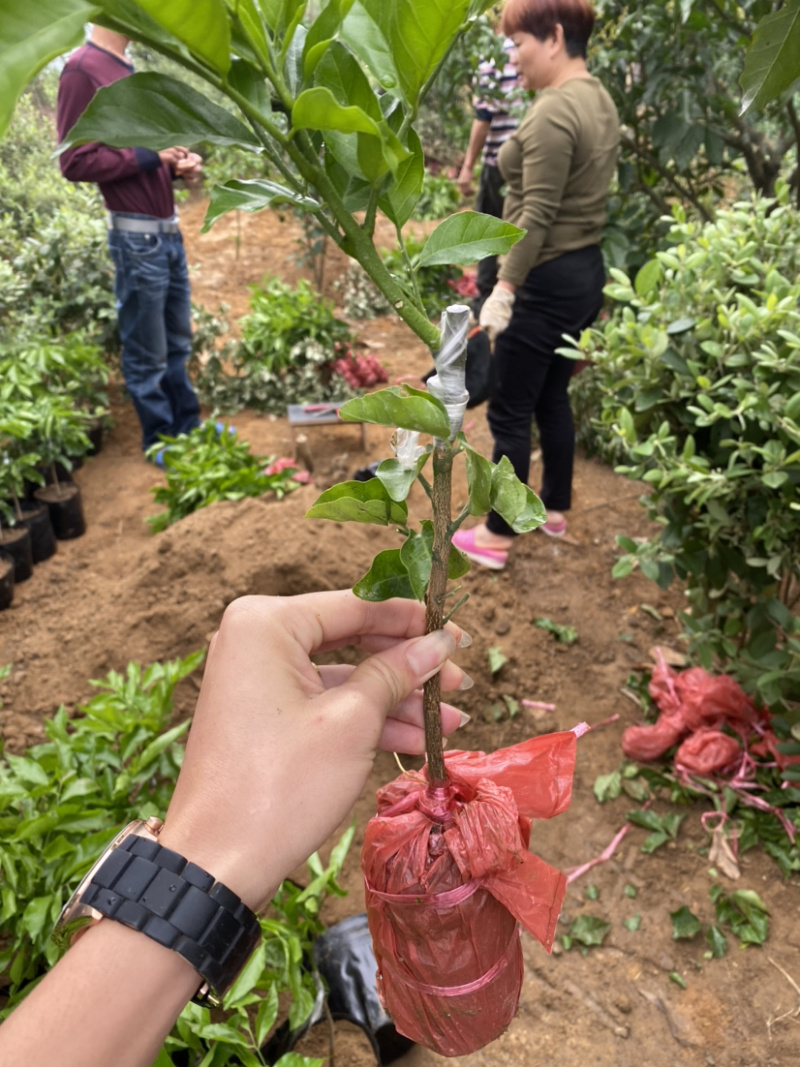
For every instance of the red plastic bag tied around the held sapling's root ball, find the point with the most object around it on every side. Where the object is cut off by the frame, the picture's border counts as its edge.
(449, 875)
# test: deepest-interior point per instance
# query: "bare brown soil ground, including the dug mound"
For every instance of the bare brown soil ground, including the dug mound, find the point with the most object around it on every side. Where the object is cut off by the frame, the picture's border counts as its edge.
(121, 594)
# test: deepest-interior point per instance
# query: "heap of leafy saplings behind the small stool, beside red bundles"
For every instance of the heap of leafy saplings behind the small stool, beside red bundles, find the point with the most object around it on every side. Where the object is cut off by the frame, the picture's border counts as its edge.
(290, 343)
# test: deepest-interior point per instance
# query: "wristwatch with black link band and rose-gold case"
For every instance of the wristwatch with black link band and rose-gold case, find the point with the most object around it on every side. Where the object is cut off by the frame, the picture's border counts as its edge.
(154, 890)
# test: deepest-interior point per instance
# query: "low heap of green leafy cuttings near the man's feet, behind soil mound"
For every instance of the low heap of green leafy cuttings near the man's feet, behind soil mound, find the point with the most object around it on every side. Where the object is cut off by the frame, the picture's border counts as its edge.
(204, 467)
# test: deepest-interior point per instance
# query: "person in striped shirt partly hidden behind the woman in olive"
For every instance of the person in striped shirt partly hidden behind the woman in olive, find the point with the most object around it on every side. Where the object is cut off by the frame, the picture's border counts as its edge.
(494, 123)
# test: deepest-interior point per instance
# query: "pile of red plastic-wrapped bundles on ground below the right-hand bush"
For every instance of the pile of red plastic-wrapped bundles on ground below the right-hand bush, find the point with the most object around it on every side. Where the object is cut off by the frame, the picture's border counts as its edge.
(717, 725)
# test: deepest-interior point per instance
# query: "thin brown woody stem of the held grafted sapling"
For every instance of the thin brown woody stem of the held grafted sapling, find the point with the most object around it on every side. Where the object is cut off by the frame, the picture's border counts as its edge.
(443, 456)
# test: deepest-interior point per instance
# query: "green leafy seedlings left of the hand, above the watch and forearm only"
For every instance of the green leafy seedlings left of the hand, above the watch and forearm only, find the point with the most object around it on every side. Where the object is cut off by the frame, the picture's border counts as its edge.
(65, 801)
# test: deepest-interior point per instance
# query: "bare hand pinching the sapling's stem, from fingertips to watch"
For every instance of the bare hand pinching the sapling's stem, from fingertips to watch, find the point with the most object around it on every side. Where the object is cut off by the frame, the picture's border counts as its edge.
(279, 753)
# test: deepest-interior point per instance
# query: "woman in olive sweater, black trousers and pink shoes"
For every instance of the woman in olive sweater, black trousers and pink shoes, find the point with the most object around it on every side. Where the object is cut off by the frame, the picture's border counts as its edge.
(558, 167)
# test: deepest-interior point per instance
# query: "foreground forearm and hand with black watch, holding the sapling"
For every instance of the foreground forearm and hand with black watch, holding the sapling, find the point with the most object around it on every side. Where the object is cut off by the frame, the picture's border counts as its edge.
(279, 753)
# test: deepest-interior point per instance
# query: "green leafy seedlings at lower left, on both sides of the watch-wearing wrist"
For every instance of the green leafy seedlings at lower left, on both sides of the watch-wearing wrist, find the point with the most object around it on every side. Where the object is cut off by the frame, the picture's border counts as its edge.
(65, 801)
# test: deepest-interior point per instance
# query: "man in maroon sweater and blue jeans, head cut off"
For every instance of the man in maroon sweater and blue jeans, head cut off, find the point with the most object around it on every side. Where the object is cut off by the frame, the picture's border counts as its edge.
(153, 291)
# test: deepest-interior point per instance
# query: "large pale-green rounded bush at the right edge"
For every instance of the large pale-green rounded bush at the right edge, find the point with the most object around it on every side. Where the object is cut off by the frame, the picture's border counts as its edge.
(698, 386)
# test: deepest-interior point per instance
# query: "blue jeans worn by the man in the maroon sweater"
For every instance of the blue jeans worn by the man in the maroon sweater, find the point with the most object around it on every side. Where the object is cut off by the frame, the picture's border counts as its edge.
(155, 313)
